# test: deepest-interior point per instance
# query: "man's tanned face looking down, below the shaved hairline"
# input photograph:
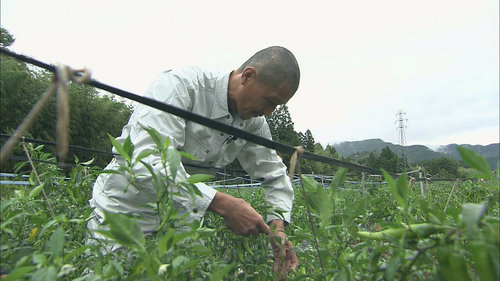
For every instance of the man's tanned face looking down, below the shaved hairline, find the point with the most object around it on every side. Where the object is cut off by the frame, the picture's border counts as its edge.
(256, 99)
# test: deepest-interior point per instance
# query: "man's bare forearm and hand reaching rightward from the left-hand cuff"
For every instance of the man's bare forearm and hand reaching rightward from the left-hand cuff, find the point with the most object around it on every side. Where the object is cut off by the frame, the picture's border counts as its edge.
(239, 216)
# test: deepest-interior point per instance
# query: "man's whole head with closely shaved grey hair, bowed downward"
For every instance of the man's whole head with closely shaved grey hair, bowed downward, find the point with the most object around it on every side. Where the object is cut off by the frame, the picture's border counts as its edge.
(269, 78)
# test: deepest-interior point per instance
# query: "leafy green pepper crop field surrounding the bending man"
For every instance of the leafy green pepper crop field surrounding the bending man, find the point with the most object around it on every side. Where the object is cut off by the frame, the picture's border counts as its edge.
(393, 233)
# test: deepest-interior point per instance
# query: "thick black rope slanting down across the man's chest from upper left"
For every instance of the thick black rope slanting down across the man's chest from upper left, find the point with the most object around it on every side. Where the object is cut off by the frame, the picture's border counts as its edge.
(201, 119)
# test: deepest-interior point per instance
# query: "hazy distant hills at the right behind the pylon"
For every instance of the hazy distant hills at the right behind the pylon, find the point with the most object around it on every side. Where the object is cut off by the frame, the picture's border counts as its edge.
(415, 153)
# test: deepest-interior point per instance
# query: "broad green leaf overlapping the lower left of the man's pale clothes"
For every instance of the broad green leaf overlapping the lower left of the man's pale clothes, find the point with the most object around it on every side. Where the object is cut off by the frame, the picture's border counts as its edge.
(124, 231)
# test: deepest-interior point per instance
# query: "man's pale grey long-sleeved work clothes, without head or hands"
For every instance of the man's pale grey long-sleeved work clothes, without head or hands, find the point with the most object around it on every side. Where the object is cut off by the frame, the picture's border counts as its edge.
(204, 93)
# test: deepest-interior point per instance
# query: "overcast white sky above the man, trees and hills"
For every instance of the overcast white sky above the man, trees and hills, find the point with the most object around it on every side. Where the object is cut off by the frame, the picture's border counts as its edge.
(361, 62)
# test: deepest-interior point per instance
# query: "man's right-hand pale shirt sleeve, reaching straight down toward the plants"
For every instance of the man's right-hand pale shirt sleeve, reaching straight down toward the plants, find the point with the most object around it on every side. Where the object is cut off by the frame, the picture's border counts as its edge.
(262, 162)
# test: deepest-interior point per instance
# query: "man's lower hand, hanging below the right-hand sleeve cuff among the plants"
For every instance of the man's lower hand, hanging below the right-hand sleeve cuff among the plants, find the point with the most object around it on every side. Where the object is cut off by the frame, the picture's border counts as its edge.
(284, 255)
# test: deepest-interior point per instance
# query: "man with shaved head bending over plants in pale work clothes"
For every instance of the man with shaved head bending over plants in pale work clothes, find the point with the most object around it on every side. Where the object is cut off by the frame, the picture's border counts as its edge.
(240, 98)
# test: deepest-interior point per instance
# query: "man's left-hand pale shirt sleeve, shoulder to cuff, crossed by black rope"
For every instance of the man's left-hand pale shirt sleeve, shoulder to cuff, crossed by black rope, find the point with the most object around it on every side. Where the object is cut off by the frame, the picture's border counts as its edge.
(174, 91)
